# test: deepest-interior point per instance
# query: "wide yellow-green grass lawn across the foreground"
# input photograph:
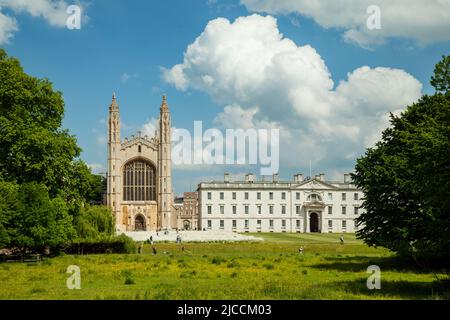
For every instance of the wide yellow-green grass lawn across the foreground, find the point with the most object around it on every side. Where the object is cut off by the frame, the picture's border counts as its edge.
(272, 269)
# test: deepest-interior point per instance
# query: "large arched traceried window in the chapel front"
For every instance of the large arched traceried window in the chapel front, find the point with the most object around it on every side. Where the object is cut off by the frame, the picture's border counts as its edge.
(139, 181)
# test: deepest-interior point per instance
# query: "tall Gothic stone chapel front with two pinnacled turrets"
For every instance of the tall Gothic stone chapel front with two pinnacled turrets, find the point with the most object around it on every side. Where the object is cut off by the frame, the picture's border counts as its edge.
(139, 178)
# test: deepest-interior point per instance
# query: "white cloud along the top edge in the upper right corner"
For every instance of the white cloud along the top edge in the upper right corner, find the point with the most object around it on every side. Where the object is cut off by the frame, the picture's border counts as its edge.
(422, 21)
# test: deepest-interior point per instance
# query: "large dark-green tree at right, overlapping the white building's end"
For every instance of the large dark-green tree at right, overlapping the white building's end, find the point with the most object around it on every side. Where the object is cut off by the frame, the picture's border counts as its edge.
(406, 178)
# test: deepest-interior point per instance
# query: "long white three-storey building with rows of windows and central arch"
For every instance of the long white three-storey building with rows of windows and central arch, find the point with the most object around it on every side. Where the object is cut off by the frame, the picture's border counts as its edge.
(301, 205)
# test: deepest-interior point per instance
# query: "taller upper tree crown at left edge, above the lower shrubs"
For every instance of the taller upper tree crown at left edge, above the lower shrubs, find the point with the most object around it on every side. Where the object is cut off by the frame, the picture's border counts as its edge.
(33, 147)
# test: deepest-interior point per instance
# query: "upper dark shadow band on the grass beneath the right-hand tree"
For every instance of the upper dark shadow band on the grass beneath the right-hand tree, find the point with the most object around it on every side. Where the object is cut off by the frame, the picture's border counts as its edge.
(360, 263)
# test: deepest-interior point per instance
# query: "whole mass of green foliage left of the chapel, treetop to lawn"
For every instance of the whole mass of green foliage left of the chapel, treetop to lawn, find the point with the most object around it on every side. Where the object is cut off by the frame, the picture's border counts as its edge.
(41, 175)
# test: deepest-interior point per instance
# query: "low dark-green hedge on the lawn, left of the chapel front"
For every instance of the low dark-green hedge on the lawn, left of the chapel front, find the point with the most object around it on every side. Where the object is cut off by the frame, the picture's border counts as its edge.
(119, 244)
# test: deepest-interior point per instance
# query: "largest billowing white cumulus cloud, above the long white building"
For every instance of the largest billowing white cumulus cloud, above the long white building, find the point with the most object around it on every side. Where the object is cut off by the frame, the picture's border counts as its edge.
(265, 80)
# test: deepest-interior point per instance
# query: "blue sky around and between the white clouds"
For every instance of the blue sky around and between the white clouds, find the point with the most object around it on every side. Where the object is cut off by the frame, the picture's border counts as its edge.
(123, 46)
